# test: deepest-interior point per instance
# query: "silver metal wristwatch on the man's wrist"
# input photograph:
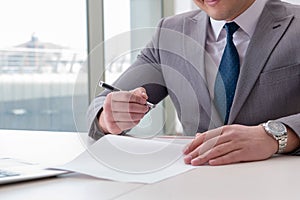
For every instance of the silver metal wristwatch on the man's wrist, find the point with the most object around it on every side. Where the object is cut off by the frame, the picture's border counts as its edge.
(278, 131)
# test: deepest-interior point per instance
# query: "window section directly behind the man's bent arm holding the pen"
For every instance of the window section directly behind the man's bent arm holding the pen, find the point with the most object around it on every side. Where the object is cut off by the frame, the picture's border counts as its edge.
(127, 28)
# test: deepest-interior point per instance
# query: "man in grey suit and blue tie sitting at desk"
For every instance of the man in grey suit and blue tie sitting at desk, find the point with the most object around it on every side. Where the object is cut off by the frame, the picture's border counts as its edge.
(183, 60)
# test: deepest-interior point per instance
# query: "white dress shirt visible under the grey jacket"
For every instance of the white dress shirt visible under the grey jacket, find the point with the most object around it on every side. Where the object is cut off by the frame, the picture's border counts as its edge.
(216, 40)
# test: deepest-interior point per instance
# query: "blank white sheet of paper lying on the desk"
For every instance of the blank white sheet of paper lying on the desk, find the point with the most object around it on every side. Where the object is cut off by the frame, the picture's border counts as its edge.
(129, 159)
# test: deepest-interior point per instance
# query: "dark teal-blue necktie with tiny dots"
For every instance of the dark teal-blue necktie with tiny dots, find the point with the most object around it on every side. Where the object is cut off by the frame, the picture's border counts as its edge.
(227, 75)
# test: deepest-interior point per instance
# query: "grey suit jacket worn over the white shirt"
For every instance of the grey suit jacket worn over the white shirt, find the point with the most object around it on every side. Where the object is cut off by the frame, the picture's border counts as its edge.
(173, 64)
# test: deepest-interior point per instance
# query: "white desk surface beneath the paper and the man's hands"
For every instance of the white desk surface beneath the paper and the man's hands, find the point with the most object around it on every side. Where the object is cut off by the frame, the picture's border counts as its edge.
(276, 178)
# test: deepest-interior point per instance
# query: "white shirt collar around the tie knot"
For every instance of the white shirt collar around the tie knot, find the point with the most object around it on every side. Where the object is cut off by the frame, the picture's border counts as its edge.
(247, 20)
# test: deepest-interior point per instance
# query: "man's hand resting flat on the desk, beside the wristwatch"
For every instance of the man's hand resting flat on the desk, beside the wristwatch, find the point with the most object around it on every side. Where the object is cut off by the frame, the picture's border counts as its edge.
(230, 144)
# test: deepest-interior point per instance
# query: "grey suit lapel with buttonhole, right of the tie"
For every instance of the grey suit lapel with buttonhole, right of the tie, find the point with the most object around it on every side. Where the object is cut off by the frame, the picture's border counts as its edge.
(268, 33)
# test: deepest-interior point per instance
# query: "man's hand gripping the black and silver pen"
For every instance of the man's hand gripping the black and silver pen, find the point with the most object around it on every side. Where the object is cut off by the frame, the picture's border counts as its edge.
(123, 110)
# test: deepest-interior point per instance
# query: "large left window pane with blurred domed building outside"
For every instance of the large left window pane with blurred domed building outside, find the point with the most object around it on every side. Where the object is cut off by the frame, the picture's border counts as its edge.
(42, 51)
